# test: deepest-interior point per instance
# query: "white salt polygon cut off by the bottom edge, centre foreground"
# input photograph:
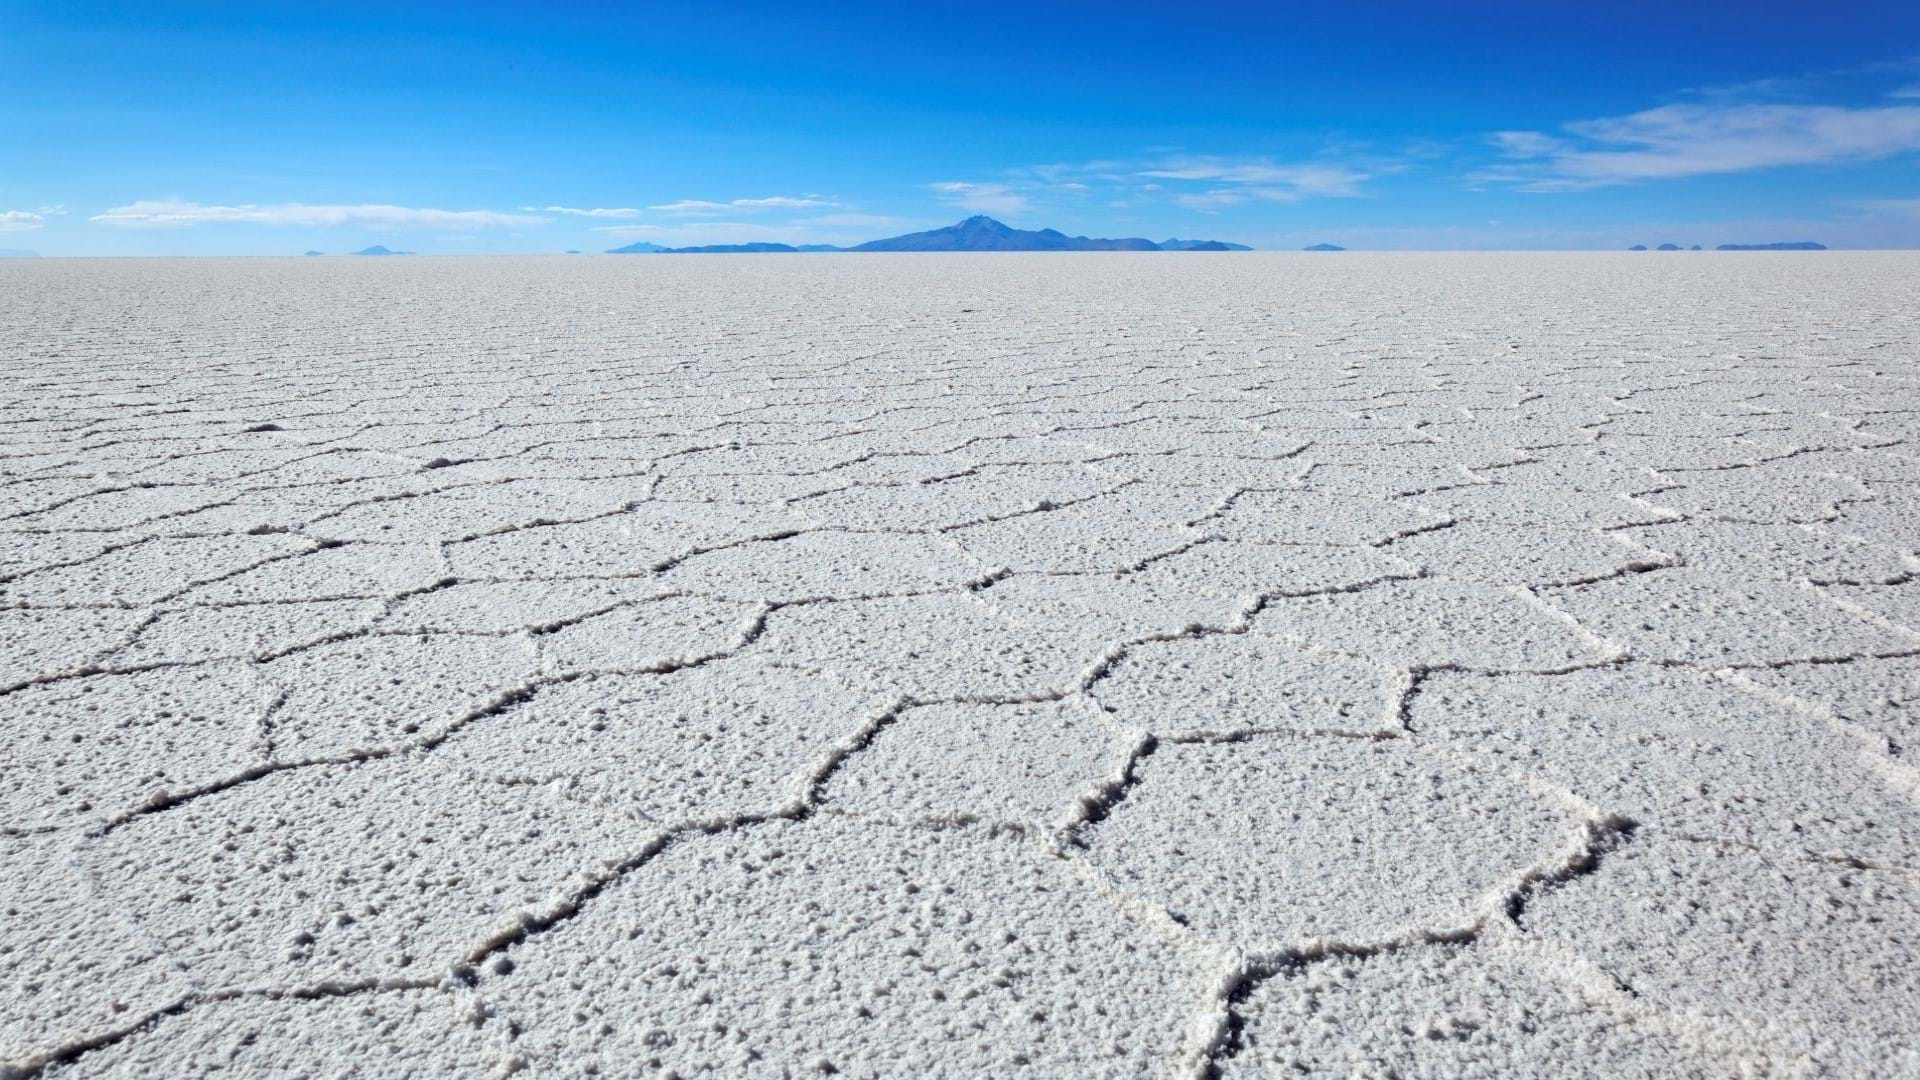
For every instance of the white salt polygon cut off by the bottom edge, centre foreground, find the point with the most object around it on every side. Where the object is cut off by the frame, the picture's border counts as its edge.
(861, 950)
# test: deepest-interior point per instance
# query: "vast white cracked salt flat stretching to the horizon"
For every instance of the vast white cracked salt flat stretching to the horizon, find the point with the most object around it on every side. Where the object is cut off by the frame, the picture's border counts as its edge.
(961, 666)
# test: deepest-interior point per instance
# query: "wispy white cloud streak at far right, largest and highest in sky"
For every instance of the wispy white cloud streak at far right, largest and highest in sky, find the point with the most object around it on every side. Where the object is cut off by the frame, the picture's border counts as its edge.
(1700, 139)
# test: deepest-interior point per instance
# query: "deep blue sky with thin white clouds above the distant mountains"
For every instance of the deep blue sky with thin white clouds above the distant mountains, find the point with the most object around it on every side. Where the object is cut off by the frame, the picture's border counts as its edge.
(274, 130)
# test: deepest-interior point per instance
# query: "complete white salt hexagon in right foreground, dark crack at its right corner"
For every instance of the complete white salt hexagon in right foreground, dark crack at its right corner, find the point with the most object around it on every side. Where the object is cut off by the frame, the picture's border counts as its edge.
(1280, 841)
